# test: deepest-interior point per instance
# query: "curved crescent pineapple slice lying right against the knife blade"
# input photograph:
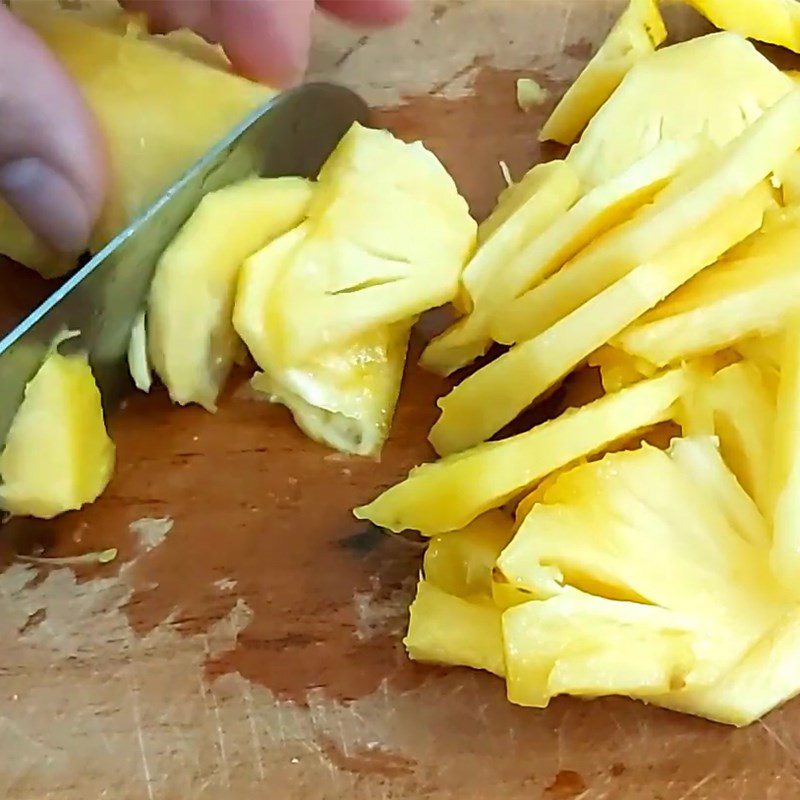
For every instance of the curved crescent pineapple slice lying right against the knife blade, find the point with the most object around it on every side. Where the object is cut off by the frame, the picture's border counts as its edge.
(191, 340)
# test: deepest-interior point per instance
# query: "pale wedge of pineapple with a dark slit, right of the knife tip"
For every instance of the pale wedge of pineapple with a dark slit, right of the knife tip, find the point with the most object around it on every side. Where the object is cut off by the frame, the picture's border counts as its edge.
(381, 248)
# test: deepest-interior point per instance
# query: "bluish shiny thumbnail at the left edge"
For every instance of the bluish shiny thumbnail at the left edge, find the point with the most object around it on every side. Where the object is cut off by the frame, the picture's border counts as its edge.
(47, 202)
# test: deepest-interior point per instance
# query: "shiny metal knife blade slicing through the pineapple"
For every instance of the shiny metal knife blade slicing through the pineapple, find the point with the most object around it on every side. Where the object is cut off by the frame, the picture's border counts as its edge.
(293, 134)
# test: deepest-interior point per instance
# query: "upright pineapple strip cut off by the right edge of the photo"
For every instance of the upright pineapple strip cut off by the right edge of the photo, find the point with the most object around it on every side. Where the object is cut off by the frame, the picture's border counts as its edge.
(785, 473)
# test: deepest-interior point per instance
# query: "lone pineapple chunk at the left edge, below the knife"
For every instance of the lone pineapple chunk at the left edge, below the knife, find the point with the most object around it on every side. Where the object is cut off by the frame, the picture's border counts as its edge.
(58, 455)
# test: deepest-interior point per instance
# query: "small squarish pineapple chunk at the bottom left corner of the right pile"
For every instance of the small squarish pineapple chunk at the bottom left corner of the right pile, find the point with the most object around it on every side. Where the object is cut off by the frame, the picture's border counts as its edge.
(445, 629)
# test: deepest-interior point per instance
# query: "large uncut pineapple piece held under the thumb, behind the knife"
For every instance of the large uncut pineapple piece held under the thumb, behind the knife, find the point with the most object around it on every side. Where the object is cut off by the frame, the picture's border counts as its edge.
(159, 111)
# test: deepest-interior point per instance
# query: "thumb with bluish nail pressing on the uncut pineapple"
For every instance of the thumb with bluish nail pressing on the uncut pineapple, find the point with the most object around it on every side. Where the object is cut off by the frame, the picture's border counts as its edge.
(52, 160)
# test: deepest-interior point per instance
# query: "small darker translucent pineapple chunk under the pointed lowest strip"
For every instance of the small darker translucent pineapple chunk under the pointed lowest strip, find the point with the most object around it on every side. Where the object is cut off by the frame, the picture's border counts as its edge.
(461, 562)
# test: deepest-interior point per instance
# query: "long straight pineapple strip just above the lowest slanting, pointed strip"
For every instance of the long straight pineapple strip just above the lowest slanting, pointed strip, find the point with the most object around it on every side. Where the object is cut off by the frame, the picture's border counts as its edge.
(493, 396)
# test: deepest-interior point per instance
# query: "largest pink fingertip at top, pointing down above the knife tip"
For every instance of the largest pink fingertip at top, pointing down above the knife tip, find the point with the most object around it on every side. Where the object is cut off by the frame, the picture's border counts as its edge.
(266, 40)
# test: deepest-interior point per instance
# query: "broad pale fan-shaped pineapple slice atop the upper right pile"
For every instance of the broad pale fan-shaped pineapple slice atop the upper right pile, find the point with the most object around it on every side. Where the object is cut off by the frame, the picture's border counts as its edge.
(715, 86)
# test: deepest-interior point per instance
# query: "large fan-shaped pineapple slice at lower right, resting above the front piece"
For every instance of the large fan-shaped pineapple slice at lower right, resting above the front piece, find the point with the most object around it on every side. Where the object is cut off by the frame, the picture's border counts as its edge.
(642, 527)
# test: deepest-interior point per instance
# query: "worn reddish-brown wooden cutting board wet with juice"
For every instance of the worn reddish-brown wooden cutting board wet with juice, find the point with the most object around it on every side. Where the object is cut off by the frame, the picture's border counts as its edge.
(246, 642)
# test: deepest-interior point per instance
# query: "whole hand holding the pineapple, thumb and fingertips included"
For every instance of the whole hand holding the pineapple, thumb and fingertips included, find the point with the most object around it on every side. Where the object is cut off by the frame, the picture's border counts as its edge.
(52, 167)
